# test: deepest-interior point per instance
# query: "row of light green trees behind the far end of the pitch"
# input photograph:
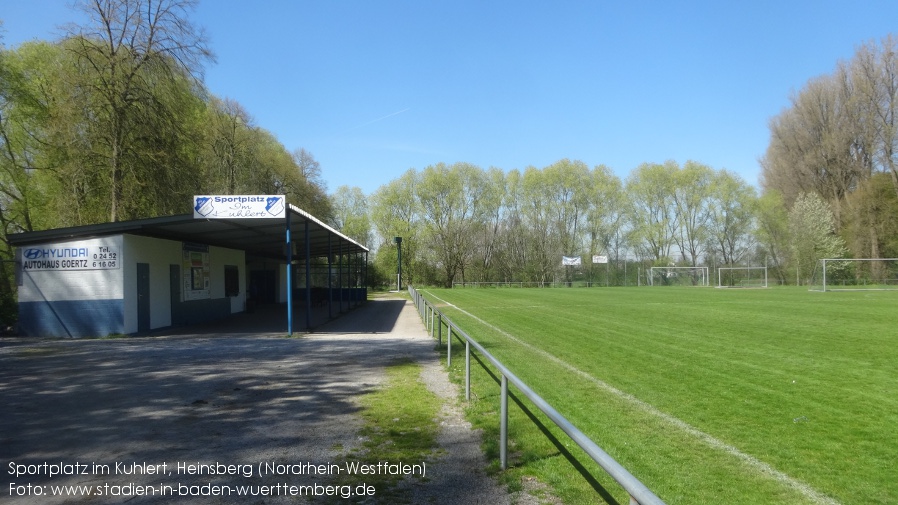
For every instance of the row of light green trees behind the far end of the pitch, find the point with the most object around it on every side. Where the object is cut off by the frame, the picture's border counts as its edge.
(461, 223)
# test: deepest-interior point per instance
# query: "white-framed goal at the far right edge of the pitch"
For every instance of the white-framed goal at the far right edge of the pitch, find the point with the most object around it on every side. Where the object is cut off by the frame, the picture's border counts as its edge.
(855, 274)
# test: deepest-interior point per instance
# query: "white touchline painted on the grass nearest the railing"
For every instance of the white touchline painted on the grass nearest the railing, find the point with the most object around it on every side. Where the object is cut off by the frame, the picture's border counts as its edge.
(762, 467)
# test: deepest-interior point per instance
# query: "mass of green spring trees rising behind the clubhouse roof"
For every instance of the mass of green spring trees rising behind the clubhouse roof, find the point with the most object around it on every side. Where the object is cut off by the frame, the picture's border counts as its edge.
(96, 128)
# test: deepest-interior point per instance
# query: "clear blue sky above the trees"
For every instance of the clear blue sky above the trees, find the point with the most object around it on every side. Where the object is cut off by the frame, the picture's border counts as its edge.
(372, 89)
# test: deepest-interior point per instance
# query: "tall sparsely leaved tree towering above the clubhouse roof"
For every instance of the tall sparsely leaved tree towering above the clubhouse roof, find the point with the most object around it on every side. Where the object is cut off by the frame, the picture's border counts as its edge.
(123, 51)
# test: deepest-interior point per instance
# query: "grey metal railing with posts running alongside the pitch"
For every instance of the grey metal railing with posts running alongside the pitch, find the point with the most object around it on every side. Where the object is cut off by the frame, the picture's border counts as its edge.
(434, 320)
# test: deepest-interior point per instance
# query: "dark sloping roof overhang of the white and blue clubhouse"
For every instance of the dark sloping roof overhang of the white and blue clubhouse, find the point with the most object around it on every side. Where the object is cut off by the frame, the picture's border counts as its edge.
(258, 237)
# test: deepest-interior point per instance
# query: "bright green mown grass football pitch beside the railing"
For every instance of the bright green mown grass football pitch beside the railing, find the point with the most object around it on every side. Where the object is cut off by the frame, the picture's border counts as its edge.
(706, 395)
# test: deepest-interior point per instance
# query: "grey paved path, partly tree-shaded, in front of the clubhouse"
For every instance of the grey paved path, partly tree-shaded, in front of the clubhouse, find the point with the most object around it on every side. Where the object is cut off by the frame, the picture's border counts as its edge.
(224, 395)
